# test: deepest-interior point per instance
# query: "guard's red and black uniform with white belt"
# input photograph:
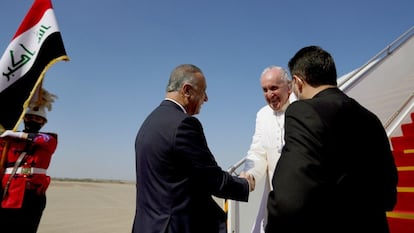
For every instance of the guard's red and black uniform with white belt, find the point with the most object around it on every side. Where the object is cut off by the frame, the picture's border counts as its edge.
(25, 184)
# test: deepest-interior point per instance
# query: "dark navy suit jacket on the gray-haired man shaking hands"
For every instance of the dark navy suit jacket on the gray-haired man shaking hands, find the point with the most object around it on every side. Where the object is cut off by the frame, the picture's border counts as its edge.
(177, 176)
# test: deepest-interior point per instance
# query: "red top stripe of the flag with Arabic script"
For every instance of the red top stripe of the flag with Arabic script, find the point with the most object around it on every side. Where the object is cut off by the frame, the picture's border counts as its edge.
(34, 15)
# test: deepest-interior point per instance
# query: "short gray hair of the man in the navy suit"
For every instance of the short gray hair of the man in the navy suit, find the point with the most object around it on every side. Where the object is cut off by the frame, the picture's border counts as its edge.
(181, 75)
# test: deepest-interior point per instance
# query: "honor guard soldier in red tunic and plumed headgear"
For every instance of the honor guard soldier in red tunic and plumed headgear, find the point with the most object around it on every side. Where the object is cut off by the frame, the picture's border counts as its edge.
(24, 182)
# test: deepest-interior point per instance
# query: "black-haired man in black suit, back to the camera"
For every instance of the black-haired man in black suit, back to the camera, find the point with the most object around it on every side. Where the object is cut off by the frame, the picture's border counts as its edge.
(336, 172)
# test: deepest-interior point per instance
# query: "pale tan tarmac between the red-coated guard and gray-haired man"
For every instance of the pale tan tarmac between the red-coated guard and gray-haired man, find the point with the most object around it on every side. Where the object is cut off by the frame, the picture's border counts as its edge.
(88, 207)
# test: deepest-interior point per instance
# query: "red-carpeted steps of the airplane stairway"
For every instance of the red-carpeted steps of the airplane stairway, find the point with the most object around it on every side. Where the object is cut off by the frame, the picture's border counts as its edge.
(401, 219)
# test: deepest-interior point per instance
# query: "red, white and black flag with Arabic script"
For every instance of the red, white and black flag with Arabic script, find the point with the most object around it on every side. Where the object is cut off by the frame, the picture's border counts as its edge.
(35, 47)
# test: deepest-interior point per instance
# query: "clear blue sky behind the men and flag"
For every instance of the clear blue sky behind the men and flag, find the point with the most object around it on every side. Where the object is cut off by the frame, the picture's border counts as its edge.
(122, 53)
